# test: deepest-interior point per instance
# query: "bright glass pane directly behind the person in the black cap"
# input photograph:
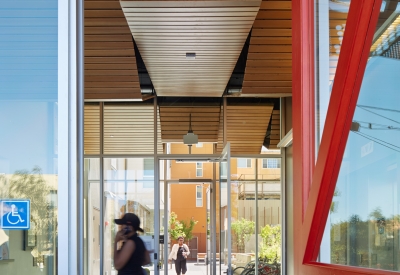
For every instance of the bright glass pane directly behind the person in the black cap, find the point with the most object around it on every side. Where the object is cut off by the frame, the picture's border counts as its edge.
(127, 188)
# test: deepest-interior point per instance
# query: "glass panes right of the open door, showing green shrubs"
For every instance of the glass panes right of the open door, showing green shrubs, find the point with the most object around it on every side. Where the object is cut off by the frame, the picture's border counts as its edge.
(256, 212)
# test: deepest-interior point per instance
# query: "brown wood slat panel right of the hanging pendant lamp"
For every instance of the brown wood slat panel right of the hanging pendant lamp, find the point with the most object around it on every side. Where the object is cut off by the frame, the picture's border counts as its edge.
(246, 128)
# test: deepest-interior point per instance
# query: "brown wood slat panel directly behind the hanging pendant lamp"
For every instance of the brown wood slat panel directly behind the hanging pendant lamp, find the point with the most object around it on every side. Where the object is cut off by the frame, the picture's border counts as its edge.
(175, 123)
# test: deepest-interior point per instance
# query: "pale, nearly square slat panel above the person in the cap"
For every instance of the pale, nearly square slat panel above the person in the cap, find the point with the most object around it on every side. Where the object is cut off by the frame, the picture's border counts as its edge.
(129, 129)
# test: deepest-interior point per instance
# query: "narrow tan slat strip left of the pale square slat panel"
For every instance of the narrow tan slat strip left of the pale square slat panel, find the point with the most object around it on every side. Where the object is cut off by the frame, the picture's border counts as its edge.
(92, 129)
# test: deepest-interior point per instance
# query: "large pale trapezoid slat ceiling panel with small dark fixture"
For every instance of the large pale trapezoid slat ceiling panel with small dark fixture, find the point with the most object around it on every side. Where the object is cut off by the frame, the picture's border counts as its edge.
(166, 30)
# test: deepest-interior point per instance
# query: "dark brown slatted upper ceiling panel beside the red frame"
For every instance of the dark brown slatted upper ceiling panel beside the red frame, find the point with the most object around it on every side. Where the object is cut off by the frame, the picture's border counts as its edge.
(269, 60)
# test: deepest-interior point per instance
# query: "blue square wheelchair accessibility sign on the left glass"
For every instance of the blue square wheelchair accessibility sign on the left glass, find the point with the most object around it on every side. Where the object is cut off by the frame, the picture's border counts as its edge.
(15, 214)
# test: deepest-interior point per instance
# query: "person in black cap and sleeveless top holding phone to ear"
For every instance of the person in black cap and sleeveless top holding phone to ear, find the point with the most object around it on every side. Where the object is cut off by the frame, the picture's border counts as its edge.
(133, 254)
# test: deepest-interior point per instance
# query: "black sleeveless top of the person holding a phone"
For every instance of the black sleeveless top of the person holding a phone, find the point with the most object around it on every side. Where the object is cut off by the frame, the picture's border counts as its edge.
(134, 264)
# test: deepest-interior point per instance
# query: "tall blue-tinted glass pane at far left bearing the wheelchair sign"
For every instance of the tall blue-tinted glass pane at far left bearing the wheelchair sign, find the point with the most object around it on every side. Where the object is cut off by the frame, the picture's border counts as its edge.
(28, 139)
